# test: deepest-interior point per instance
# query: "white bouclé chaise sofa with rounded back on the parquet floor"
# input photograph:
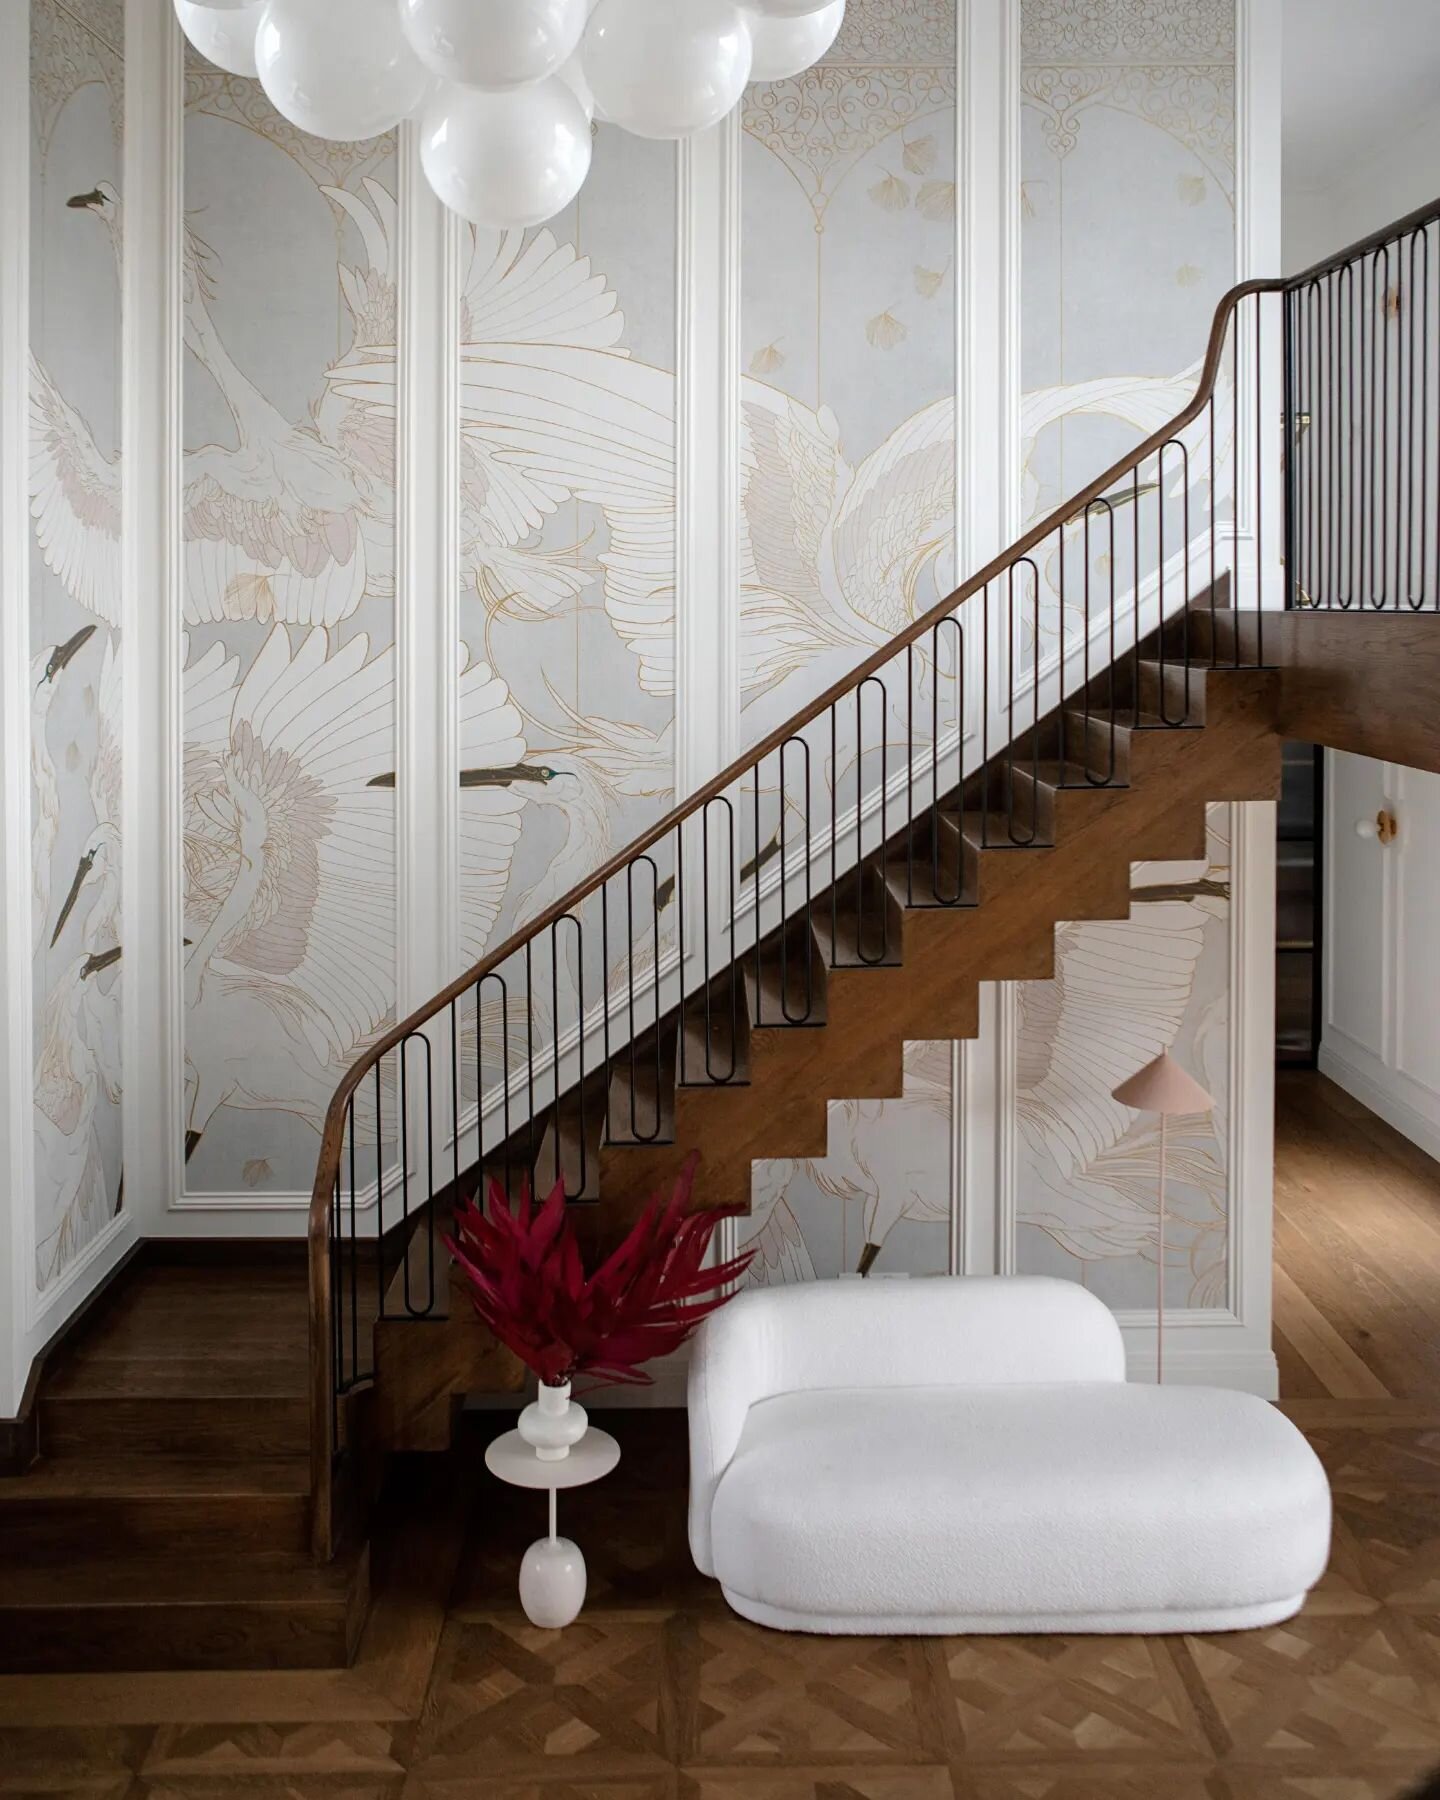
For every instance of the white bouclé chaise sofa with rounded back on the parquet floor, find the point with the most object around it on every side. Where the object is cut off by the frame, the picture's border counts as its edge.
(966, 1455)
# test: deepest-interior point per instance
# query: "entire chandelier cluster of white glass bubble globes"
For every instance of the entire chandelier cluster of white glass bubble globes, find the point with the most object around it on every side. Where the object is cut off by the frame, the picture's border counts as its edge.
(505, 91)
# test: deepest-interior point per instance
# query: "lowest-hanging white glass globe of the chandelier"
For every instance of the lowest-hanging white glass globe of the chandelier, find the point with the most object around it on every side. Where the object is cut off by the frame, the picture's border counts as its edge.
(507, 159)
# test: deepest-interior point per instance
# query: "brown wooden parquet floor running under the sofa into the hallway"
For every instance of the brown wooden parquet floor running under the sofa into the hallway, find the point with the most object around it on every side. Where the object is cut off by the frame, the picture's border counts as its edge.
(660, 1695)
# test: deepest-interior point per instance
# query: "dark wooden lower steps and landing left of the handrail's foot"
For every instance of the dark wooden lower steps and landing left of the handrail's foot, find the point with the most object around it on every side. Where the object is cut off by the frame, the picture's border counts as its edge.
(166, 1522)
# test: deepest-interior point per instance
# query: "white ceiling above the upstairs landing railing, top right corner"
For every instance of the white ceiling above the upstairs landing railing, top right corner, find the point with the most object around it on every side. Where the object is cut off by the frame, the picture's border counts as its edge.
(1358, 75)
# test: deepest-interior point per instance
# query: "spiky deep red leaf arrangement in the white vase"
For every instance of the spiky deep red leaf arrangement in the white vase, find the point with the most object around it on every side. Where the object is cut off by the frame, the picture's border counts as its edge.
(530, 1288)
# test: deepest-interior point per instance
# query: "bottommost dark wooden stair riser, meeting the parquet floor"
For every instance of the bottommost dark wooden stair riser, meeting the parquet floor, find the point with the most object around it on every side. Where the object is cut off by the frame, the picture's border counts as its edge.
(60, 1641)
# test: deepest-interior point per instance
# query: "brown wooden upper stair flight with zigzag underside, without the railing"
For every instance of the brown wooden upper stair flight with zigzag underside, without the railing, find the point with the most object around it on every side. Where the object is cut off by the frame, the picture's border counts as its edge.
(881, 960)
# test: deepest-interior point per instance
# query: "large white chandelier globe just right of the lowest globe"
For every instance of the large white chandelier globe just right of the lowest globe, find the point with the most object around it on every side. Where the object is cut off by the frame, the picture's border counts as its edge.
(667, 67)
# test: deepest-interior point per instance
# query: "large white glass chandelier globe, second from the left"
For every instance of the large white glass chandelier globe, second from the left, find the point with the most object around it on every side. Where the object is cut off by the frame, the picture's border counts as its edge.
(337, 73)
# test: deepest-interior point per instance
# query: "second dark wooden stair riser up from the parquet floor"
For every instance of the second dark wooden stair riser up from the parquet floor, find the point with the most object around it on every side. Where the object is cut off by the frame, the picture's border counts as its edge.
(183, 1524)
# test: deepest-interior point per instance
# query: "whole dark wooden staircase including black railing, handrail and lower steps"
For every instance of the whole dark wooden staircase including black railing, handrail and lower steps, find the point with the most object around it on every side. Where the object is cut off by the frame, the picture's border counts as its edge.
(213, 1434)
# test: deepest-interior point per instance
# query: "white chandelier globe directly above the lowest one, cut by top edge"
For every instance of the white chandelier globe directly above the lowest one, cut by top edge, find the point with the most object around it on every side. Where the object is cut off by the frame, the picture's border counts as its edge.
(494, 44)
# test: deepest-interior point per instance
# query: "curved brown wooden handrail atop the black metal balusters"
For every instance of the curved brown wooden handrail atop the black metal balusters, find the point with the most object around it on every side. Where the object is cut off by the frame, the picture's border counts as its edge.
(332, 1137)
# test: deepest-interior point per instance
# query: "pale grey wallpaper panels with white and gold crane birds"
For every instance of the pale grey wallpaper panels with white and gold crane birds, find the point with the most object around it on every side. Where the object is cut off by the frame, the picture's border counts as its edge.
(566, 665)
